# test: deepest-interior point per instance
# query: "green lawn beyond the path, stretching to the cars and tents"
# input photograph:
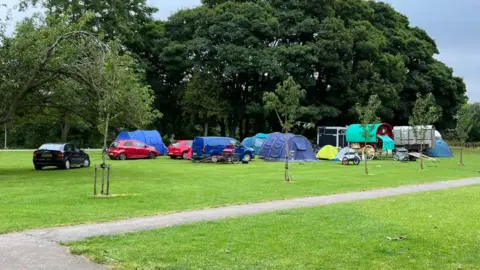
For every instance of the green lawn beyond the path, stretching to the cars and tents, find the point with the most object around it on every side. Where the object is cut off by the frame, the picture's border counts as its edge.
(33, 199)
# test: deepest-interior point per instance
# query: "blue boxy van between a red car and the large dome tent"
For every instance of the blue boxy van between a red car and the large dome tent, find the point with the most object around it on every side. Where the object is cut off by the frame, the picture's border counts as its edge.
(204, 147)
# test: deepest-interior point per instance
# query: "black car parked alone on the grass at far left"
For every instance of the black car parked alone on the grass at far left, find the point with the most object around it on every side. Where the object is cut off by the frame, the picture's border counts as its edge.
(60, 155)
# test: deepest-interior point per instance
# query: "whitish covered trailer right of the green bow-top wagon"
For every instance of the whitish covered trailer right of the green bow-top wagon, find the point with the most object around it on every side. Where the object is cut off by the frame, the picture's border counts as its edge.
(404, 136)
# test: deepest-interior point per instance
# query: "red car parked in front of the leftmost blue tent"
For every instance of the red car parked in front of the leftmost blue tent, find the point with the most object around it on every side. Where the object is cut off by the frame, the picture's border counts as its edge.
(131, 149)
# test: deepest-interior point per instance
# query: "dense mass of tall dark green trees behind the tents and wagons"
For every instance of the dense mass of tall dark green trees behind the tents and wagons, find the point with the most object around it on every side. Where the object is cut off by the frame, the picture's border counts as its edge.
(210, 66)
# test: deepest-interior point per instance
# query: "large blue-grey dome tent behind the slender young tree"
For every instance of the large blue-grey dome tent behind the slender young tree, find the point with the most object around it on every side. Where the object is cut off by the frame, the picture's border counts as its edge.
(274, 148)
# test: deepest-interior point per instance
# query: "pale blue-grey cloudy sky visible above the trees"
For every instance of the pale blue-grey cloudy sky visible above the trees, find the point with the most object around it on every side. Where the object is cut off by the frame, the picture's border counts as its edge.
(453, 26)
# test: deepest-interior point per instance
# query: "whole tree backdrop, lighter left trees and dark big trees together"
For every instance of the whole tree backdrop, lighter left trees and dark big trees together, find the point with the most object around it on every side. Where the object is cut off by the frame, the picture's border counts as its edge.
(207, 69)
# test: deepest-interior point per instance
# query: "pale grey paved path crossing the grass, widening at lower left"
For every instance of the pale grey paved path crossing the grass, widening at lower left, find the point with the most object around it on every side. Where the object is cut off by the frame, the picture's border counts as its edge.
(39, 249)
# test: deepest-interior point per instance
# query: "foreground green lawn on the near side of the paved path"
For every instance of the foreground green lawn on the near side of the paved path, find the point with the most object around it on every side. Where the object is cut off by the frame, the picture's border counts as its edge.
(441, 229)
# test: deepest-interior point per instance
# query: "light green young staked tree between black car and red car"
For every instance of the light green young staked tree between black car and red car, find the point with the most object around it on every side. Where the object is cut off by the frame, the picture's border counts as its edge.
(117, 89)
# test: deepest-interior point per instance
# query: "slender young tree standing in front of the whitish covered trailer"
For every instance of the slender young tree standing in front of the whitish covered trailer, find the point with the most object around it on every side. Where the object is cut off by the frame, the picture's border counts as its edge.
(424, 113)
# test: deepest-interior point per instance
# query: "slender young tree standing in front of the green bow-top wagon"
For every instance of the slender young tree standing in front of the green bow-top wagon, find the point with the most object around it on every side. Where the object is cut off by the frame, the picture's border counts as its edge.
(368, 117)
